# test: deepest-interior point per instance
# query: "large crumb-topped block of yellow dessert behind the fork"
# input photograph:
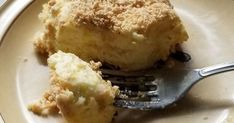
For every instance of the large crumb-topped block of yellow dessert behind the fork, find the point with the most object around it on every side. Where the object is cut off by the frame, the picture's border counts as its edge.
(130, 34)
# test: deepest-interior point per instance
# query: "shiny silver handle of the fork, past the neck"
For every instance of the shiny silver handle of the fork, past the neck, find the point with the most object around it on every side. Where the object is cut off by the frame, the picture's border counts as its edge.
(215, 69)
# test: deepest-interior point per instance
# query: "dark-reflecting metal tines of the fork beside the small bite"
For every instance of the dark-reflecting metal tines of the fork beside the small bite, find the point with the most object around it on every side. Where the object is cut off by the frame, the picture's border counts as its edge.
(135, 87)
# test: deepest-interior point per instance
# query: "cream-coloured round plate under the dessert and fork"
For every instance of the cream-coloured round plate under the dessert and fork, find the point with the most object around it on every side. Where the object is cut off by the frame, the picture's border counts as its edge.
(24, 76)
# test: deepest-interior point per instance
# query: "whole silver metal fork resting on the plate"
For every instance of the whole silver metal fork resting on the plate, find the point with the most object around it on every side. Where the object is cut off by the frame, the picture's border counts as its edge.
(158, 88)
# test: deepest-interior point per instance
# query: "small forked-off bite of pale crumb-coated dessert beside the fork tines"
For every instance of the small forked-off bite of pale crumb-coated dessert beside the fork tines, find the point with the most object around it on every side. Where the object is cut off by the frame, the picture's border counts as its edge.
(77, 91)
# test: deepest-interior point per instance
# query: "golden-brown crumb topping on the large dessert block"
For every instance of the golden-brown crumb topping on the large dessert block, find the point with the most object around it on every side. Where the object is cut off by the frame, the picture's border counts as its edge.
(117, 15)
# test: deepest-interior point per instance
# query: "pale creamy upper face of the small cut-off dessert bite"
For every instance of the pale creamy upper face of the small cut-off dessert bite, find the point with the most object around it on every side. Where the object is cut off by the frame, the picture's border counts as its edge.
(77, 71)
